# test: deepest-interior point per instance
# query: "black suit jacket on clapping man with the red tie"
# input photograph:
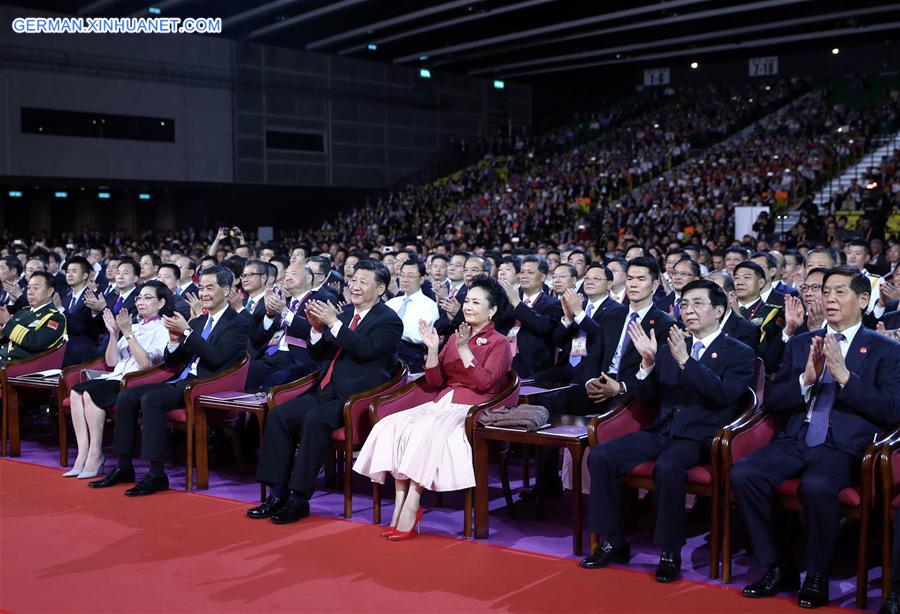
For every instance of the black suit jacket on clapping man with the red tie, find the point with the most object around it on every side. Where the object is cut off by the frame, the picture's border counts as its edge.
(368, 354)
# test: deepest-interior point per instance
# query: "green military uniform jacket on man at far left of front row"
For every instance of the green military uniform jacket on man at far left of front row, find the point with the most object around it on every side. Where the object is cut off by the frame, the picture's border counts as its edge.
(30, 332)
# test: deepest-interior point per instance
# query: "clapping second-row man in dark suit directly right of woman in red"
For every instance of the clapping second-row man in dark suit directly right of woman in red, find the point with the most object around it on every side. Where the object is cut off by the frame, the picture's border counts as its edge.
(532, 319)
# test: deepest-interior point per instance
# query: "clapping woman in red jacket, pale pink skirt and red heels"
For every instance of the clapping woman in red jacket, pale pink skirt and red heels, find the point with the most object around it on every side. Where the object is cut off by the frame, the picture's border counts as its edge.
(426, 447)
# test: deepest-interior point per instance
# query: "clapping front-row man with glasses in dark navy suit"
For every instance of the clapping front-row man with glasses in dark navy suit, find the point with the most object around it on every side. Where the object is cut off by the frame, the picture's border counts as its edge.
(696, 381)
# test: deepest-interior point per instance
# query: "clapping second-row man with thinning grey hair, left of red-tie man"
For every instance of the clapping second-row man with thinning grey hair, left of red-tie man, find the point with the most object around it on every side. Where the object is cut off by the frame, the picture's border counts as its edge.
(283, 331)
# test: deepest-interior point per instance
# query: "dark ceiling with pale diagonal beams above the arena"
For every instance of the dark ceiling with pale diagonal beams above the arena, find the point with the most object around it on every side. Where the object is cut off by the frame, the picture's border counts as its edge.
(526, 40)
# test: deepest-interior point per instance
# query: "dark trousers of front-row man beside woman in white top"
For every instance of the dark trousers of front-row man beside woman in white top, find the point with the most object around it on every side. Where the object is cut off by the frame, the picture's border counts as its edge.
(152, 401)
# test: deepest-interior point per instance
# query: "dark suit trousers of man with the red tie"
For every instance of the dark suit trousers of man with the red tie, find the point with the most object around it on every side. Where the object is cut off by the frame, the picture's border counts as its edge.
(314, 415)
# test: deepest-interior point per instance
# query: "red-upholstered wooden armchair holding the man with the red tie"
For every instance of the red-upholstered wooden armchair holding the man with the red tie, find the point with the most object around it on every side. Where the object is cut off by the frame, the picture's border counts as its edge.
(349, 438)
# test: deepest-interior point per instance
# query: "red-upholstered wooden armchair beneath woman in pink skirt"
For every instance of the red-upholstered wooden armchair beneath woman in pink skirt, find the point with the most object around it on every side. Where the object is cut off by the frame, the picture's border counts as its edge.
(417, 393)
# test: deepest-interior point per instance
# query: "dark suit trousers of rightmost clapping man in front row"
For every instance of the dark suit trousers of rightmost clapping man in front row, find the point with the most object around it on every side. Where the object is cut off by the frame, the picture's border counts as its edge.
(823, 472)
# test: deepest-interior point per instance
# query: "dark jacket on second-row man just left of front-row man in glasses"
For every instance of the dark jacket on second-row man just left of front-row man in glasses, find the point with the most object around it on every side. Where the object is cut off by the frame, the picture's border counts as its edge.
(603, 347)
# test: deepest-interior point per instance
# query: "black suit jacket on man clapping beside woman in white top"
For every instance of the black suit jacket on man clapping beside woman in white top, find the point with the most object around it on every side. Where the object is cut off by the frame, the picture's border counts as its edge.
(223, 349)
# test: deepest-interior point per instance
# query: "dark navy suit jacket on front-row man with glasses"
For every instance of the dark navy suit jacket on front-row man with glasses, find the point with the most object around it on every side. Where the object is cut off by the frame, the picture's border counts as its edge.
(704, 396)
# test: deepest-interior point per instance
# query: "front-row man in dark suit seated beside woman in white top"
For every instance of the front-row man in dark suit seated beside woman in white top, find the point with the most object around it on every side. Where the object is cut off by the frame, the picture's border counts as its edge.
(205, 346)
